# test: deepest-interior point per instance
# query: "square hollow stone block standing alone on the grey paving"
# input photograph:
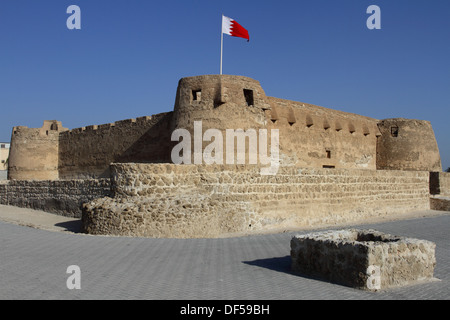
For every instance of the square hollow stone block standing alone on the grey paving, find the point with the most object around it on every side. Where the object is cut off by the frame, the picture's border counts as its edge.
(363, 259)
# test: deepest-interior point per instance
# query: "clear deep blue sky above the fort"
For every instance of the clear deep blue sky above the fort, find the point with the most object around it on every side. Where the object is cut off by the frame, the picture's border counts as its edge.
(128, 56)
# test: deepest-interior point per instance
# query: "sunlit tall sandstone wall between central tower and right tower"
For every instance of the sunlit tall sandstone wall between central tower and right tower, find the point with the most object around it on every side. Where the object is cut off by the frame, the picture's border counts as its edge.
(314, 136)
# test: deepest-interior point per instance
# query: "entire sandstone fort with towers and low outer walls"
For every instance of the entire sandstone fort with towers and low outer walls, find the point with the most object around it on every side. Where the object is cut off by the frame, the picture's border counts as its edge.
(120, 179)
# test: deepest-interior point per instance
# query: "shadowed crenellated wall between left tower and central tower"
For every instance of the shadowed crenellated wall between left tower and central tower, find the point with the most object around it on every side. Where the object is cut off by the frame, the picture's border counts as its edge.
(87, 152)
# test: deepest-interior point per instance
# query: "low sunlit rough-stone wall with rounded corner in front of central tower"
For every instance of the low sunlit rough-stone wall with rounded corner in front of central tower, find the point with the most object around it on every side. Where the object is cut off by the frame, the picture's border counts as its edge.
(166, 200)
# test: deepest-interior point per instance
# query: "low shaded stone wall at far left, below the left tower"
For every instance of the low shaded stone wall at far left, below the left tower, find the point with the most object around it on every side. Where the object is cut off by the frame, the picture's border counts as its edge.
(63, 197)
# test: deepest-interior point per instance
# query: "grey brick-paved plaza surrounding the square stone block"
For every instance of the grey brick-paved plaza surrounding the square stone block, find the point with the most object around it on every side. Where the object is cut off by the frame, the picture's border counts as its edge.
(33, 265)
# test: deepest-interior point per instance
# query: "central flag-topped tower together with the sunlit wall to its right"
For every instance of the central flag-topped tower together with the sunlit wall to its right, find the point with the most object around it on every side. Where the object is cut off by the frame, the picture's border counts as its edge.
(309, 135)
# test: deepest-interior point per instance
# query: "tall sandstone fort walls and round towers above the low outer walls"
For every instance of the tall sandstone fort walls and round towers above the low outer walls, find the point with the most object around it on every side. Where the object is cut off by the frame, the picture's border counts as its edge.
(309, 136)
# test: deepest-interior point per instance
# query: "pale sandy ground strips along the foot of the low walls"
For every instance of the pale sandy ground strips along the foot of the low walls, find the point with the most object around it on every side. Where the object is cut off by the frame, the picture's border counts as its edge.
(52, 222)
